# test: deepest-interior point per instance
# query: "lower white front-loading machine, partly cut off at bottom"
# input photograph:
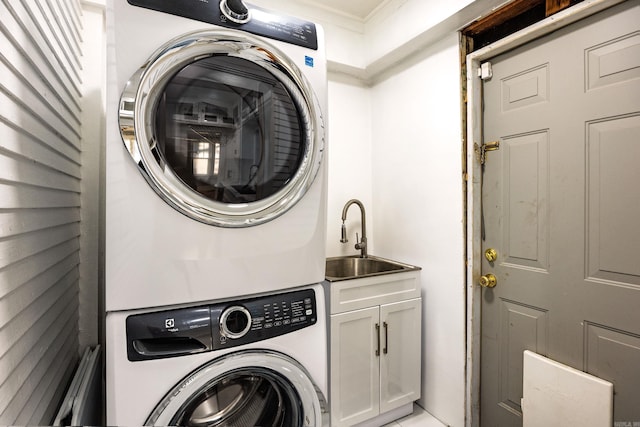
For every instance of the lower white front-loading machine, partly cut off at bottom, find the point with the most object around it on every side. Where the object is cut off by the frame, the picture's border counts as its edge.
(259, 361)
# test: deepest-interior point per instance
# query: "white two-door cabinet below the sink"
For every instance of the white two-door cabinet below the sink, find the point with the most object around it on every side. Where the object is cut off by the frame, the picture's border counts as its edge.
(375, 347)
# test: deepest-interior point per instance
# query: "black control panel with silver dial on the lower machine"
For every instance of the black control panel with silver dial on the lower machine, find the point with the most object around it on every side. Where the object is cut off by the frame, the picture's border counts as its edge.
(184, 331)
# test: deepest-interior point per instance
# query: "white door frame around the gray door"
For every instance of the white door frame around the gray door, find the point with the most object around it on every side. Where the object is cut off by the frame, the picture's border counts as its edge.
(473, 96)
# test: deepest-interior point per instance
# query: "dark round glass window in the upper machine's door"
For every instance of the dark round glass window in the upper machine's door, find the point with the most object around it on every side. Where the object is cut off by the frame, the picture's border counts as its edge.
(230, 130)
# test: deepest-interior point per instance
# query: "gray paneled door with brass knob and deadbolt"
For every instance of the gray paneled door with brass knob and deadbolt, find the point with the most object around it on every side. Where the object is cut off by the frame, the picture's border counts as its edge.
(561, 202)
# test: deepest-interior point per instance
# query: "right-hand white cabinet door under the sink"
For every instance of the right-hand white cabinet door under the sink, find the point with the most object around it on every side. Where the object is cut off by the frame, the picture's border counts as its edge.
(400, 372)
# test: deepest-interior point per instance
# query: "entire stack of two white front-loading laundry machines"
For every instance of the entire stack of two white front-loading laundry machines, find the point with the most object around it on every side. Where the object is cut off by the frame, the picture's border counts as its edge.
(215, 216)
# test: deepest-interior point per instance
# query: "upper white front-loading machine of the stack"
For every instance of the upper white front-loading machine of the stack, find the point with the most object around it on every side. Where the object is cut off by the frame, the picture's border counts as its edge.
(215, 171)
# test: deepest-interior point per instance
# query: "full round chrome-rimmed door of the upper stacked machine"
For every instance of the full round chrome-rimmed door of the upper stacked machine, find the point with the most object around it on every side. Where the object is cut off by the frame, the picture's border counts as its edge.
(224, 127)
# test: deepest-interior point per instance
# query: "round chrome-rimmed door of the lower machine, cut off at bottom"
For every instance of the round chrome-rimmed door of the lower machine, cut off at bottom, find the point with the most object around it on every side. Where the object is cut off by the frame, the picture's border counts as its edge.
(253, 388)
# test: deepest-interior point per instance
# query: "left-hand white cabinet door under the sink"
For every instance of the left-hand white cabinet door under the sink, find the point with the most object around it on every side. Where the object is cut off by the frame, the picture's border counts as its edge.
(355, 393)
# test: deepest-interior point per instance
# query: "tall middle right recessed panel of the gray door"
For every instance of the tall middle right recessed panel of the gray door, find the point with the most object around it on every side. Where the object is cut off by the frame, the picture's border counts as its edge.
(613, 217)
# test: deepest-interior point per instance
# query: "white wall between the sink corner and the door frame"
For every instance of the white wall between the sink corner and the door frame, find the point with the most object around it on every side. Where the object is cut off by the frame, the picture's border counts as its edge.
(418, 212)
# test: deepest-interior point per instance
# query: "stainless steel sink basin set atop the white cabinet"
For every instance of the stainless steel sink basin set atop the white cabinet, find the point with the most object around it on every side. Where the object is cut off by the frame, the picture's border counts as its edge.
(352, 267)
